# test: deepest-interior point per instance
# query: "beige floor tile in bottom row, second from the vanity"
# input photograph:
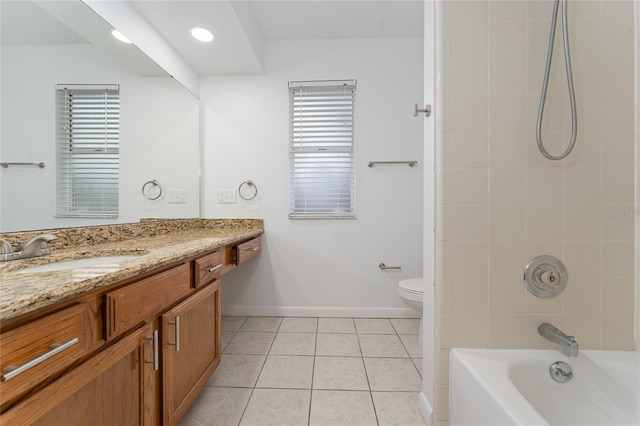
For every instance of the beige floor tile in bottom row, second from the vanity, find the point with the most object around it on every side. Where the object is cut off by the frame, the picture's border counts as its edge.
(277, 407)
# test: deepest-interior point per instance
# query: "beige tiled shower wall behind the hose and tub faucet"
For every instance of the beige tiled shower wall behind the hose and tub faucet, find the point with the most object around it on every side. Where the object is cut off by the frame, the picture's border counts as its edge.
(500, 203)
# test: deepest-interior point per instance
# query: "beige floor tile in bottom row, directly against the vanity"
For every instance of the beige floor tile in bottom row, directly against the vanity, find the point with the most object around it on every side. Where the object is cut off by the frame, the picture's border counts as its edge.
(217, 406)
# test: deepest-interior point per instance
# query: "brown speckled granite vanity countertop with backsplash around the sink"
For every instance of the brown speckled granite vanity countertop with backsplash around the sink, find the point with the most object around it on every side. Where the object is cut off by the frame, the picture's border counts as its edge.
(153, 243)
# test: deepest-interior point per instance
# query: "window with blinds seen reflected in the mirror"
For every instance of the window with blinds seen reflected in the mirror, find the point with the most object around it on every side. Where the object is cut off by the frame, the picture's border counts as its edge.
(87, 150)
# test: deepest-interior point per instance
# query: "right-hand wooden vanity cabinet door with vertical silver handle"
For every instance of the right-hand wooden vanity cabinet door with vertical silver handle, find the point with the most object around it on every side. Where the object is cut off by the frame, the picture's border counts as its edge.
(191, 350)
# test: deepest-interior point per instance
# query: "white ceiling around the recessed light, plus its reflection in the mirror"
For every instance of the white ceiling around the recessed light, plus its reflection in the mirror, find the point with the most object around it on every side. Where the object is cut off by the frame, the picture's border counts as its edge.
(241, 27)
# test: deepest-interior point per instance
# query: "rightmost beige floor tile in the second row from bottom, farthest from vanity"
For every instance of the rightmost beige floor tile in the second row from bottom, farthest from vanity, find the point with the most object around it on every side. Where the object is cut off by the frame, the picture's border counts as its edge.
(392, 374)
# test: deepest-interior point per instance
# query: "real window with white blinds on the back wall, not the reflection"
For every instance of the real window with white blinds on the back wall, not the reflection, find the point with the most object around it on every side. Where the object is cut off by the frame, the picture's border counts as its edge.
(322, 180)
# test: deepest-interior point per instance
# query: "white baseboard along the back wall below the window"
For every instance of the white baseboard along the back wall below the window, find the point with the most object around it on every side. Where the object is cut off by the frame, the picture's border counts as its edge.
(312, 311)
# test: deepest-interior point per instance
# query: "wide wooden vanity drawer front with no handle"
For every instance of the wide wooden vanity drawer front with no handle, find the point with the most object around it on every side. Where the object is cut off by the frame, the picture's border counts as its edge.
(135, 303)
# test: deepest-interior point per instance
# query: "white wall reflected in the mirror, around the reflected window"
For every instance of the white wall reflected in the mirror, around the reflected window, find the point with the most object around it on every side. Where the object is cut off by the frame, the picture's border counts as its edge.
(158, 135)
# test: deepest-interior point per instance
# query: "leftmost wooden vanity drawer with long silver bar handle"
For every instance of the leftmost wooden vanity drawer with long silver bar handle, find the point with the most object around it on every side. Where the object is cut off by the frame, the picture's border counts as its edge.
(32, 353)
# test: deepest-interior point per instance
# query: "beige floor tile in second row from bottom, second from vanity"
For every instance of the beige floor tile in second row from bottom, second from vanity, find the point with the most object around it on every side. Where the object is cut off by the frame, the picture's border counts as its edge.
(291, 372)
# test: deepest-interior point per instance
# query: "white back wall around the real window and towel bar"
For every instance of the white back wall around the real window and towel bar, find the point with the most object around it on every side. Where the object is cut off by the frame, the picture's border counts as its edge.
(321, 267)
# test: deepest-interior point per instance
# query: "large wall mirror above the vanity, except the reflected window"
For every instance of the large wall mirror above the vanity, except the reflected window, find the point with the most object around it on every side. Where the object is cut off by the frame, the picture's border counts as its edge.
(60, 42)
